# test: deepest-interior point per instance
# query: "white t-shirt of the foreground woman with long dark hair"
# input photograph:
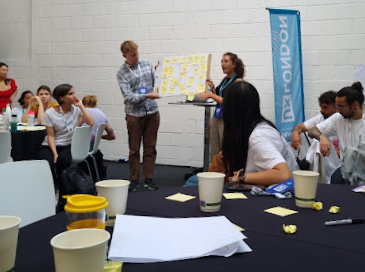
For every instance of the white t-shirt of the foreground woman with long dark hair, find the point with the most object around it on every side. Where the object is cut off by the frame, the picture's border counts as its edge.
(267, 148)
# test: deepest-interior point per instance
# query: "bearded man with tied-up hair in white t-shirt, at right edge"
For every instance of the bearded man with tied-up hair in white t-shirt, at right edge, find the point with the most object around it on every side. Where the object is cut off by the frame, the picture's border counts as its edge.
(348, 123)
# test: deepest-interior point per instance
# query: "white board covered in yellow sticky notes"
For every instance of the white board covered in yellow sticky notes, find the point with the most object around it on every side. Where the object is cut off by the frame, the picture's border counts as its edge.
(184, 75)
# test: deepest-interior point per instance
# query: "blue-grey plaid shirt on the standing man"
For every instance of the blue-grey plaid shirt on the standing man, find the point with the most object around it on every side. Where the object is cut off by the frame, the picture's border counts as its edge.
(129, 80)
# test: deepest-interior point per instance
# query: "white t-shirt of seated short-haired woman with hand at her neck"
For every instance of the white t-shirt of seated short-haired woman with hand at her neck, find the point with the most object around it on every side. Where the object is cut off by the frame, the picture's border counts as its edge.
(63, 126)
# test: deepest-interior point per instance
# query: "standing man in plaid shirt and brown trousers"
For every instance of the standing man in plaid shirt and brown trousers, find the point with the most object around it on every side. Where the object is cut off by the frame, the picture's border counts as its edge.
(136, 80)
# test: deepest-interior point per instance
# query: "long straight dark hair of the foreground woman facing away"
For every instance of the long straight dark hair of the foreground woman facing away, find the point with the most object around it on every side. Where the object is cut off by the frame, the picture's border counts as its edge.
(241, 114)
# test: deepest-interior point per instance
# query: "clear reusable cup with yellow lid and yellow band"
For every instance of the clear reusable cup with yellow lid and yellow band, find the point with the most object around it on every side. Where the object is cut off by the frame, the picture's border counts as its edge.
(86, 211)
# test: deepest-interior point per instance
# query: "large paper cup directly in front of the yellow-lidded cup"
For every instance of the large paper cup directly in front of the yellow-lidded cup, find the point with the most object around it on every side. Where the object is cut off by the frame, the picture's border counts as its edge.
(80, 250)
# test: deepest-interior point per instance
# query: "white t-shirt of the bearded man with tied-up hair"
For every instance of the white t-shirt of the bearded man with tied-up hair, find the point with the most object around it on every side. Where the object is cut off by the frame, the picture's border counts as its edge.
(347, 129)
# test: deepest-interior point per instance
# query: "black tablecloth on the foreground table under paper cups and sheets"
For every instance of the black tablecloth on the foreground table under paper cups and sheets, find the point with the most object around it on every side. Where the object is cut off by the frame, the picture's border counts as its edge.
(313, 248)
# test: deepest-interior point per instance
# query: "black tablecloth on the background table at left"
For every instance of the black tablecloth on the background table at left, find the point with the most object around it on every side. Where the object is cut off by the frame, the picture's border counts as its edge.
(24, 144)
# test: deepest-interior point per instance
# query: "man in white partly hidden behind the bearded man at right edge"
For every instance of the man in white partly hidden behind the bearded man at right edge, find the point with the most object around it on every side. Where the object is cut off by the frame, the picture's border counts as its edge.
(326, 102)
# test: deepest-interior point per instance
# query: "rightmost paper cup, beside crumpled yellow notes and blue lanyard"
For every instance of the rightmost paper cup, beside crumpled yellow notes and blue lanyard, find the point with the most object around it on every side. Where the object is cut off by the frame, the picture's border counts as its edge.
(305, 188)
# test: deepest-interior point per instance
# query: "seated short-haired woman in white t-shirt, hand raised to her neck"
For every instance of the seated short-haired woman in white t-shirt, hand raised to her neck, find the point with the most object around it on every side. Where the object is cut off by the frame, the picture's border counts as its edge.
(60, 122)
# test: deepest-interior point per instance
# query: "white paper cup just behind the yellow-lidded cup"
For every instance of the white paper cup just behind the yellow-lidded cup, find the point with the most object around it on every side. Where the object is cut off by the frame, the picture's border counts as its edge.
(116, 193)
